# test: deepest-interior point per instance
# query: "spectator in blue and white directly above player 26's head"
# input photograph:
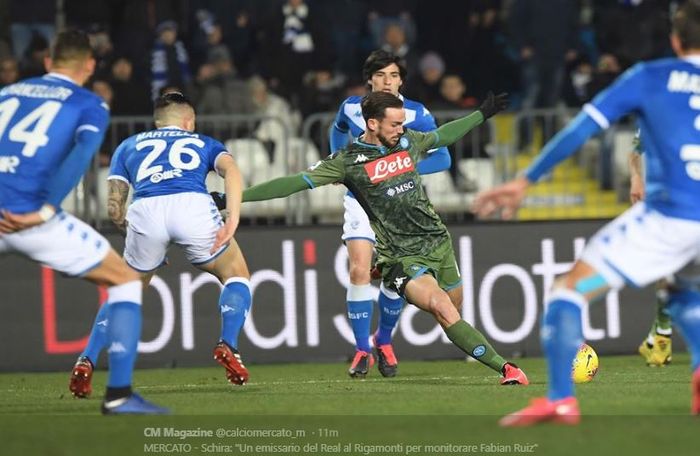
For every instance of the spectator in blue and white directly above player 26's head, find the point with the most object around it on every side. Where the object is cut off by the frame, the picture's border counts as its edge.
(169, 60)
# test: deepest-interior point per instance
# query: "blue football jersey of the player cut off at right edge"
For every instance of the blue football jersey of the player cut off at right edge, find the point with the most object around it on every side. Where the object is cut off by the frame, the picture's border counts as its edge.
(665, 96)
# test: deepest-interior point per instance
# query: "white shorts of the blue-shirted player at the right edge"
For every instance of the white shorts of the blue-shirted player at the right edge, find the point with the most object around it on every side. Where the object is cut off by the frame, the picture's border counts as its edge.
(641, 246)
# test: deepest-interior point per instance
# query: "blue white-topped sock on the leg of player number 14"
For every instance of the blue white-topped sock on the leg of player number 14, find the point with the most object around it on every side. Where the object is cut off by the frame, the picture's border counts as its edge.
(124, 332)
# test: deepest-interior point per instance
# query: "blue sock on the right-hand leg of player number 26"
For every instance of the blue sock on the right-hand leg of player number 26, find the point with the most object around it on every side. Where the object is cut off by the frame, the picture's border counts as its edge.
(234, 304)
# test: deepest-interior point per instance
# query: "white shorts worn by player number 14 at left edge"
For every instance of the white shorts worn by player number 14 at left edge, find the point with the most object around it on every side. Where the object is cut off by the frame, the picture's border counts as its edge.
(64, 243)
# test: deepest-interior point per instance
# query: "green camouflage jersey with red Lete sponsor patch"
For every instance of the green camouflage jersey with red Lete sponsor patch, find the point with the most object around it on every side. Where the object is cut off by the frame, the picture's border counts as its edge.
(387, 185)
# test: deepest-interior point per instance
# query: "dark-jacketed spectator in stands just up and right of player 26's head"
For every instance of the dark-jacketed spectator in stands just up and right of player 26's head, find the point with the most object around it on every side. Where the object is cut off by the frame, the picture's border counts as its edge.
(219, 89)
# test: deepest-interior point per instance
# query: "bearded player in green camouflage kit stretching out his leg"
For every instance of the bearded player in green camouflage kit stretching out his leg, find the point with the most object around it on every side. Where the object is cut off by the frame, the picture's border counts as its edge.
(415, 252)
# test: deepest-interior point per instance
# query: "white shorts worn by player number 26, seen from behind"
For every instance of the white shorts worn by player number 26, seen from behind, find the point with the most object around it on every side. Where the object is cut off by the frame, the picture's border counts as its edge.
(189, 220)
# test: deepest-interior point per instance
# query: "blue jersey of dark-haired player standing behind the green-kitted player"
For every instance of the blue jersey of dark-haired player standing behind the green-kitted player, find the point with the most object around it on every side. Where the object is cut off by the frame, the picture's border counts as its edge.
(349, 117)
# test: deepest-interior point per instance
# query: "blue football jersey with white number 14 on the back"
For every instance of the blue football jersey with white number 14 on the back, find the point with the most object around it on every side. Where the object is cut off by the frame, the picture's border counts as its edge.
(40, 119)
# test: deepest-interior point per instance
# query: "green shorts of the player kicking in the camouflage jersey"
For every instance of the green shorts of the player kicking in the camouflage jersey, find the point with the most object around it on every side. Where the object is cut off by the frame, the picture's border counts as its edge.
(441, 264)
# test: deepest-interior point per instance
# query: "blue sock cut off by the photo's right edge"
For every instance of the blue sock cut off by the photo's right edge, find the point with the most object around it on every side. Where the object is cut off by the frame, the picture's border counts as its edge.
(684, 307)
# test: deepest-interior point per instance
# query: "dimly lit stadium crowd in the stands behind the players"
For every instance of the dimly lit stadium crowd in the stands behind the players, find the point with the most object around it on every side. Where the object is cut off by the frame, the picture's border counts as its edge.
(283, 56)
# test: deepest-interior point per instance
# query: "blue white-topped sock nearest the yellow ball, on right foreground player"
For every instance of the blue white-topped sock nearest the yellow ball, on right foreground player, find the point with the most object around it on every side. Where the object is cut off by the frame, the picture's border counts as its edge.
(561, 336)
